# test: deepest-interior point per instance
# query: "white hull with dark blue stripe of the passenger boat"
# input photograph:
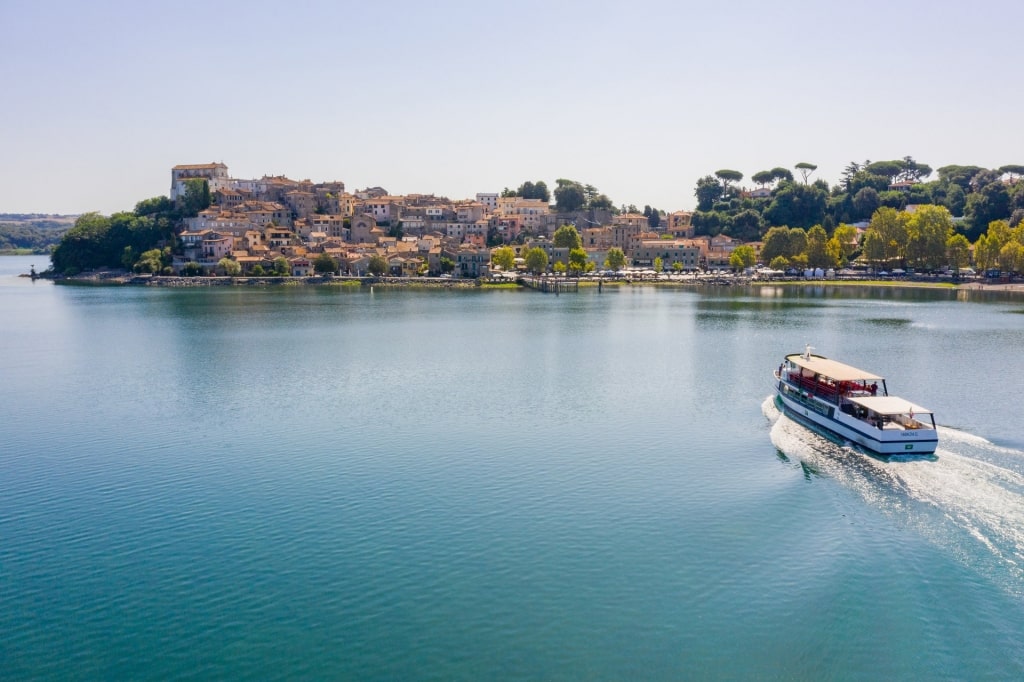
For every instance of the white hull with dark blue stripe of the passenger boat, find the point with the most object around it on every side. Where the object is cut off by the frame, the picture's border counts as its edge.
(822, 417)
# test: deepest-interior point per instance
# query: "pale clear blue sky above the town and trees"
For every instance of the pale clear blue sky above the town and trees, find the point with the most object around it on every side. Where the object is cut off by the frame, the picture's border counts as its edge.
(453, 98)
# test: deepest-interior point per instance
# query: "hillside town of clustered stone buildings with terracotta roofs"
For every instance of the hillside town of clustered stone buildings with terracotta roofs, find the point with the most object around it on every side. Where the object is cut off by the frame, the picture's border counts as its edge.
(257, 223)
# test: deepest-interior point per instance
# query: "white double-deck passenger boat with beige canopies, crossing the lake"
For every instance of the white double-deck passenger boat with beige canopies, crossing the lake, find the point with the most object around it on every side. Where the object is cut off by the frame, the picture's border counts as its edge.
(852, 405)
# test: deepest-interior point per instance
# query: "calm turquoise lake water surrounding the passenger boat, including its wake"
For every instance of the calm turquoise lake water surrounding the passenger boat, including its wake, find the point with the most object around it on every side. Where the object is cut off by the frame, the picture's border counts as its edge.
(391, 485)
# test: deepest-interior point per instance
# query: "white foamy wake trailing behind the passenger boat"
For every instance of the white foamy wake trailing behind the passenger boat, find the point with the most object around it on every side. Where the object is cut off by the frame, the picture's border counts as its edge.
(969, 499)
